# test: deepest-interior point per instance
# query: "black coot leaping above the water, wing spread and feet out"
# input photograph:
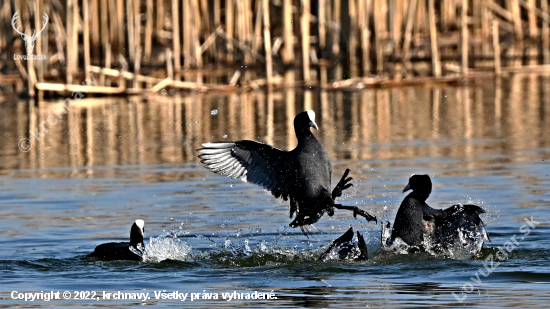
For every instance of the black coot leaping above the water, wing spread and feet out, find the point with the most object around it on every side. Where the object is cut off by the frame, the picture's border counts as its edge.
(303, 174)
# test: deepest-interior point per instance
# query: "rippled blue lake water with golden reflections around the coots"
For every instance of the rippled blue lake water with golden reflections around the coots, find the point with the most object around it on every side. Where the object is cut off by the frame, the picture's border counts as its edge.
(110, 161)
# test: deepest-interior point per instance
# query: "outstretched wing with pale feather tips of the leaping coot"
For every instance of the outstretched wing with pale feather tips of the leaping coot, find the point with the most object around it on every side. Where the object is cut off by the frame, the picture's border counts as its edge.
(254, 162)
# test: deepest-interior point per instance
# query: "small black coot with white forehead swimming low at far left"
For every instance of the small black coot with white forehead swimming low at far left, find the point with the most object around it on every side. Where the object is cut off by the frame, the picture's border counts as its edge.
(121, 250)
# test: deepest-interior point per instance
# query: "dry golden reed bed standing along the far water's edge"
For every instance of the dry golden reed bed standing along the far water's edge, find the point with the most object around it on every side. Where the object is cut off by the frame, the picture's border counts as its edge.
(147, 46)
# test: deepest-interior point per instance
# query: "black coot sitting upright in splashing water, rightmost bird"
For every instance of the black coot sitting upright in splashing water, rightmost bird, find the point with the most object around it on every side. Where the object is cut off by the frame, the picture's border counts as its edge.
(424, 228)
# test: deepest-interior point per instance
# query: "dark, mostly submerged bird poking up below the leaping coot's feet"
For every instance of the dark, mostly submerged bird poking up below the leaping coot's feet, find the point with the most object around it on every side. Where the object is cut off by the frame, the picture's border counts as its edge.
(347, 249)
